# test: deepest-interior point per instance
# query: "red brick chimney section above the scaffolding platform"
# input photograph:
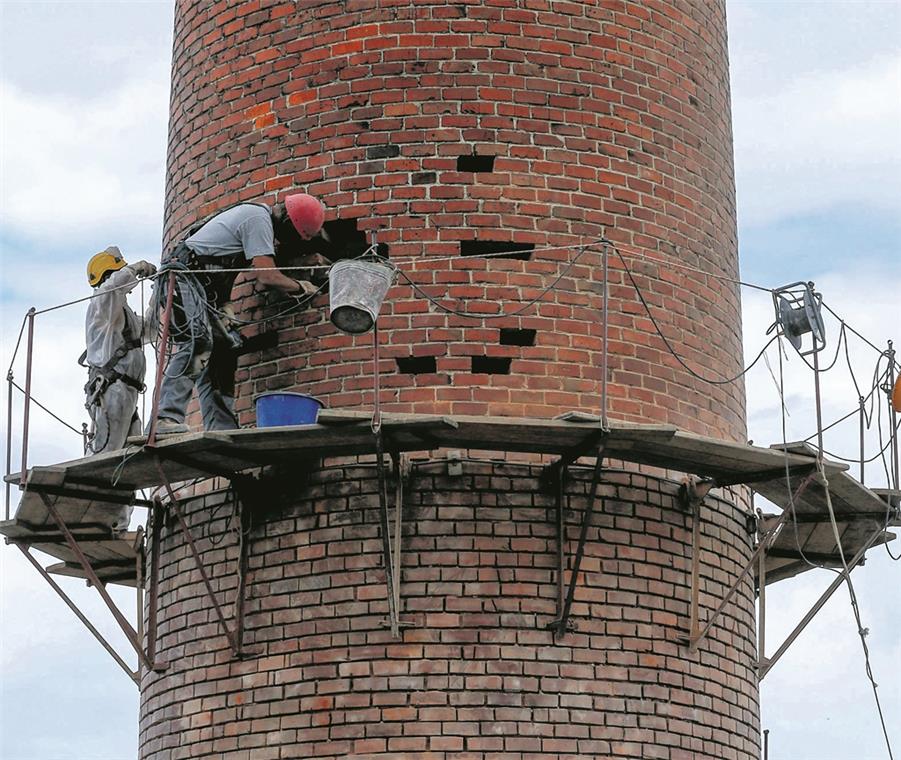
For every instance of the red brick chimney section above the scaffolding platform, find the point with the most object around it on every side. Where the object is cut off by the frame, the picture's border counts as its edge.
(603, 116)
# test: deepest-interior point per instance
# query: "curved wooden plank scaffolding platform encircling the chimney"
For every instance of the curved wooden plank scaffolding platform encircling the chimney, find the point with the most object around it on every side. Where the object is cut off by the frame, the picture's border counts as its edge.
(89, 492)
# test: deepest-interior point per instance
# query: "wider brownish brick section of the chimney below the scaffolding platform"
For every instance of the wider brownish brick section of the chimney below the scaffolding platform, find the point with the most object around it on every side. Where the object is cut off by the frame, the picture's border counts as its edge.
(476, 675)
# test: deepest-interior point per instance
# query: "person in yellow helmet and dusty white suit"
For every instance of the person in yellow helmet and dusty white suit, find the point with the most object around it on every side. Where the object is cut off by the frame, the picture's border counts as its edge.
(114, 335)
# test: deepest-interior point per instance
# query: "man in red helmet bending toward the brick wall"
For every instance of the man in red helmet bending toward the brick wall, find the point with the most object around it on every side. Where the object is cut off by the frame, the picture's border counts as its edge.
(246, 234)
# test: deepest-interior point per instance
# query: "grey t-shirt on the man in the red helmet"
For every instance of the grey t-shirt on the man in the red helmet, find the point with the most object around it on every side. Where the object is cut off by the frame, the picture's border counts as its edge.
(244, 229)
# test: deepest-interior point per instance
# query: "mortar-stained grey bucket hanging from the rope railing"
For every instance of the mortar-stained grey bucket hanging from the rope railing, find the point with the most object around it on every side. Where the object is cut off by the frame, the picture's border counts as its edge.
(357, 288)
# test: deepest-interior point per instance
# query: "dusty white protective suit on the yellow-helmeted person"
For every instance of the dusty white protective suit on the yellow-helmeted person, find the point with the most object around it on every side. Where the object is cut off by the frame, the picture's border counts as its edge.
(113, 411)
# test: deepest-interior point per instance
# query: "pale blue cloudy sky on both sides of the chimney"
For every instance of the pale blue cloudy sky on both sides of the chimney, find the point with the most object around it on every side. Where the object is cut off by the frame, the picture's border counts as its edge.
(817, 111)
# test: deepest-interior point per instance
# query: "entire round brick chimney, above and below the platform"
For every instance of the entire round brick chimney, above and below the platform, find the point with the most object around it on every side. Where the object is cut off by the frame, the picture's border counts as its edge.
(455, 128)
